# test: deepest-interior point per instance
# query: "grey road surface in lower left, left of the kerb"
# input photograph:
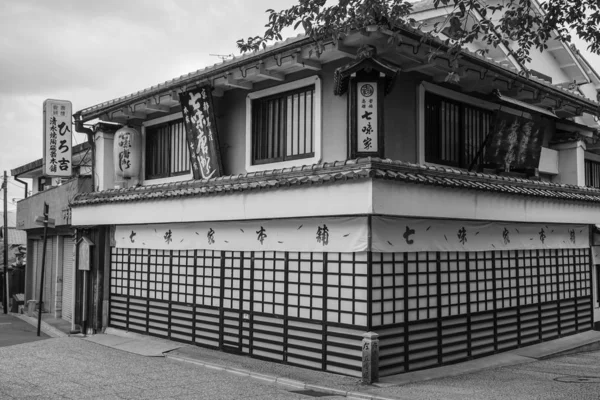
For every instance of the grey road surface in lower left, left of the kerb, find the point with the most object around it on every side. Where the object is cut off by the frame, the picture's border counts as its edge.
(72, 368)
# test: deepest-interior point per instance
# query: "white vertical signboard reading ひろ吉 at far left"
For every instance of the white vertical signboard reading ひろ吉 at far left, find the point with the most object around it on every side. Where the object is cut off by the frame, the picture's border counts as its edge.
(57, 138)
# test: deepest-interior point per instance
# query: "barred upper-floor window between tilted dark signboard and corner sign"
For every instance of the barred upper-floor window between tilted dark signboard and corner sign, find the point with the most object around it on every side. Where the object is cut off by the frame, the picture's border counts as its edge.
(283, 126)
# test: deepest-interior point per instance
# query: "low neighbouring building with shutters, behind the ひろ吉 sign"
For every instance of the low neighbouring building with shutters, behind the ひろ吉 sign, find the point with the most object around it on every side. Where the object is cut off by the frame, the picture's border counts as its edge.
(59, 275)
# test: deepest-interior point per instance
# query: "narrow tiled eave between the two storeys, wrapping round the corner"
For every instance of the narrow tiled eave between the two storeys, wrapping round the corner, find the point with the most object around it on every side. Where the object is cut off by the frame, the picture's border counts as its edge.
(340, 171)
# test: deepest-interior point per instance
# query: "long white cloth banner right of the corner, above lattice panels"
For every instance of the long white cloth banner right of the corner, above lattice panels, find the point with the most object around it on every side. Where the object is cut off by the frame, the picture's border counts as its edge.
(410, 235)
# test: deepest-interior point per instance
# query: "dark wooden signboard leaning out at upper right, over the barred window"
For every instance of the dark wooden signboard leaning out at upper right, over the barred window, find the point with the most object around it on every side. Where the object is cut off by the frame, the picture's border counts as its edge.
(516, 142)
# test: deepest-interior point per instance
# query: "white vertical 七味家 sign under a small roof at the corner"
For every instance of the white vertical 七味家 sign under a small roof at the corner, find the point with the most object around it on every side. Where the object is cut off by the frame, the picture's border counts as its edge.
(366, 116)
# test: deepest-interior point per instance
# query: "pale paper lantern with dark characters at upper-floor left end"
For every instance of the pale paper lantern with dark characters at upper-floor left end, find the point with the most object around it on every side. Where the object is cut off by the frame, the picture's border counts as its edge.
(127, 153)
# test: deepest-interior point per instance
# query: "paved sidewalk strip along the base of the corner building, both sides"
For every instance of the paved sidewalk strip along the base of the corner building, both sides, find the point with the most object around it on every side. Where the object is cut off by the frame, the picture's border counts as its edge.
(323, 383)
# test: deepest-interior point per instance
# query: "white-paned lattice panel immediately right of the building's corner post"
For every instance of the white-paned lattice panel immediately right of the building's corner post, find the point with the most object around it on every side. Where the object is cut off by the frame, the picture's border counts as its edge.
(387, 303)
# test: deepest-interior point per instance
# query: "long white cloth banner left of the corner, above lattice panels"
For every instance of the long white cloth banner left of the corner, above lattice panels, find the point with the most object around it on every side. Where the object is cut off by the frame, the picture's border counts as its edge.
(310, 234)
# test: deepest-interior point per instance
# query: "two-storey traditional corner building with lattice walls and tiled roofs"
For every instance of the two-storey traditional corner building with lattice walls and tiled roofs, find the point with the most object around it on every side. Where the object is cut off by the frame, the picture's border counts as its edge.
(331, 219)
